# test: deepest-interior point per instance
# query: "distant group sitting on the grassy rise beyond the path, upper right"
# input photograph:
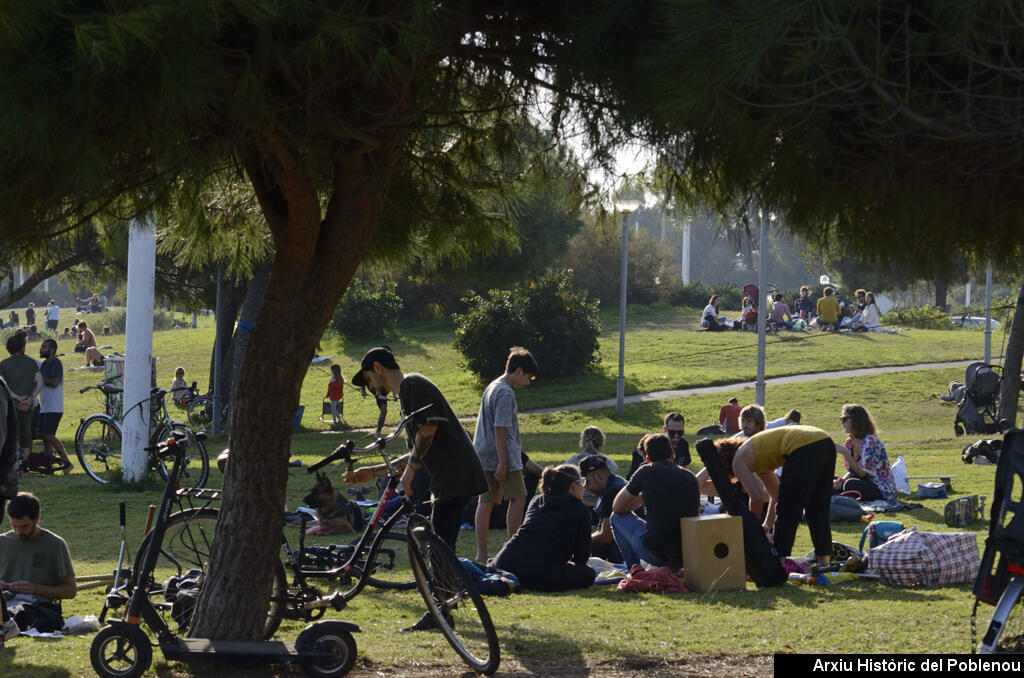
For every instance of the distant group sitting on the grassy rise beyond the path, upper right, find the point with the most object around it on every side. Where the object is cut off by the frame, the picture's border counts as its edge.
(828, 313)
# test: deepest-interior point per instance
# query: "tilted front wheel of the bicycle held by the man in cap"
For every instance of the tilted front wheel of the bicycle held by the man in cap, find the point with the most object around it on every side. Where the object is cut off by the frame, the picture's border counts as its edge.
(453, 600)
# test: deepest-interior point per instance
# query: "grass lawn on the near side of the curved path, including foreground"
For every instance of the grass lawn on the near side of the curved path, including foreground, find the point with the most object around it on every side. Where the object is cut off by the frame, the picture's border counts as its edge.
(542, 630)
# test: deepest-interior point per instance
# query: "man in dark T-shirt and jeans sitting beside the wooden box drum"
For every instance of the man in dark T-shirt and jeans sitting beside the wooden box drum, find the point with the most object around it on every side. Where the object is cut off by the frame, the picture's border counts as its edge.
(668, 493)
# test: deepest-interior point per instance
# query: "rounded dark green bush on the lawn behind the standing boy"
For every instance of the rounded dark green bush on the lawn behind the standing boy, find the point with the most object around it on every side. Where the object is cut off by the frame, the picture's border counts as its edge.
(560, 325)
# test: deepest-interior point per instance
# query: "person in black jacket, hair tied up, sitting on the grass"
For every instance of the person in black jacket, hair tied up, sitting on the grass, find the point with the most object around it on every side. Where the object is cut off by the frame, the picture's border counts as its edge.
(550, 552)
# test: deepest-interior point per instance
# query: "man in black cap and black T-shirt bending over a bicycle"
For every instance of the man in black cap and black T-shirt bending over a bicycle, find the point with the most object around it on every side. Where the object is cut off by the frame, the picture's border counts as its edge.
(438, 441)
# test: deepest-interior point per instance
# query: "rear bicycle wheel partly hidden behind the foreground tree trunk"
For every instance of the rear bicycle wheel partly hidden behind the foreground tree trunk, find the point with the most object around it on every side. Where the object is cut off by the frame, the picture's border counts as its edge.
(188, 542)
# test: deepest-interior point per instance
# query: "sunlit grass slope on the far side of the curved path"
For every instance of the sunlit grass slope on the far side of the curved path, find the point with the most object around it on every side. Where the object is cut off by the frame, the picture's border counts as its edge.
(665, 351)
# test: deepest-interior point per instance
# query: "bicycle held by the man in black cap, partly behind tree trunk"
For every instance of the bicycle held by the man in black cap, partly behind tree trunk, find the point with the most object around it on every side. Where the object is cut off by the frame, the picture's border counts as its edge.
(374, 559)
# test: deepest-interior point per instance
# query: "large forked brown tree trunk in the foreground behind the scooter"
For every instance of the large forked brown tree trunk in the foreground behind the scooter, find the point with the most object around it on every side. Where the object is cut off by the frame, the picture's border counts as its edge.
(315, 261)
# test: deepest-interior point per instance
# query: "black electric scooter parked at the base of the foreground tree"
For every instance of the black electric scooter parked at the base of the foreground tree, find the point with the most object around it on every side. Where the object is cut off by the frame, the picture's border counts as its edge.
(122, 650)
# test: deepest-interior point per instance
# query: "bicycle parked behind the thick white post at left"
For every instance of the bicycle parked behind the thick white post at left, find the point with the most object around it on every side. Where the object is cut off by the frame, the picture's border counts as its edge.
(98, 441)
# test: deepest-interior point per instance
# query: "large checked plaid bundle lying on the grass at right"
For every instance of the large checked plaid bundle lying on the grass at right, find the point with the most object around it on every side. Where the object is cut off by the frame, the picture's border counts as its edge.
(914, 558)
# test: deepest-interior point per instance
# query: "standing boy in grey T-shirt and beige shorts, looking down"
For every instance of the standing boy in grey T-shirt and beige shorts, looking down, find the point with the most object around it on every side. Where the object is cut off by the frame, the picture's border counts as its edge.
(498, 444)
